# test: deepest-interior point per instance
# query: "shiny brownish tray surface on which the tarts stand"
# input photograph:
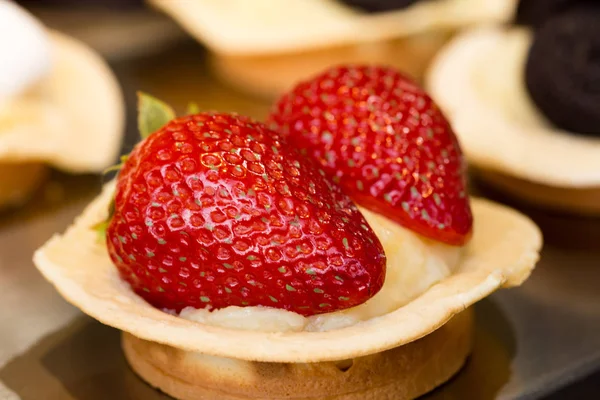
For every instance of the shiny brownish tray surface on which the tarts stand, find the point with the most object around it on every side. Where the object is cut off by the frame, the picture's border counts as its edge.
(529, 341)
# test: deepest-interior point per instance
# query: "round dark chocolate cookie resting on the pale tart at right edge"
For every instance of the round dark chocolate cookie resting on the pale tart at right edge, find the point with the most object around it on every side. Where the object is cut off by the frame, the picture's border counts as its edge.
(562, 72)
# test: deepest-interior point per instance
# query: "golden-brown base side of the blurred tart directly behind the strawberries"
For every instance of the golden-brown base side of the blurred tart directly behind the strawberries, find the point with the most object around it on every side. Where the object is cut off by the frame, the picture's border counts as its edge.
(270, 75)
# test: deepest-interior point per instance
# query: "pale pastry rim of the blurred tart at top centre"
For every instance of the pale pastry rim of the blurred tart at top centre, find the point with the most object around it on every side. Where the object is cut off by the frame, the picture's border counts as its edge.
(272, 26)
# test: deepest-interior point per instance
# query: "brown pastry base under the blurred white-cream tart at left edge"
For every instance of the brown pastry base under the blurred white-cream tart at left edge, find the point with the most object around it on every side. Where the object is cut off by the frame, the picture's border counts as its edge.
(19, 181)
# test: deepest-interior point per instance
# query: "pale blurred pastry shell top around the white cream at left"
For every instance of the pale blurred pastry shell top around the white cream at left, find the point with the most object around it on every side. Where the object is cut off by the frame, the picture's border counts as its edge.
(72, 119)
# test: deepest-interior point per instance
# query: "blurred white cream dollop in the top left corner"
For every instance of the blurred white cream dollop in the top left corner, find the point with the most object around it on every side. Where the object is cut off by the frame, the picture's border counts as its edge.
(25, 50)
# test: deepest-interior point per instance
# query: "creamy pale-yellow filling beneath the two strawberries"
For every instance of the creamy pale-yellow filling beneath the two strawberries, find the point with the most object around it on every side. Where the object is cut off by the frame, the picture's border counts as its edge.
(414, 264)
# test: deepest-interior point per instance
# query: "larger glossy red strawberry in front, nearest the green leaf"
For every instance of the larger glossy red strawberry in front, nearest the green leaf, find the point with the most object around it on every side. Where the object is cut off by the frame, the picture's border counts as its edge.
(213, 210)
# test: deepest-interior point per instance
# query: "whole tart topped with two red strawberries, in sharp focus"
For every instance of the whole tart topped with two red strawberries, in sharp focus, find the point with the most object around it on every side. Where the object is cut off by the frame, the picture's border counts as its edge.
(331, 252)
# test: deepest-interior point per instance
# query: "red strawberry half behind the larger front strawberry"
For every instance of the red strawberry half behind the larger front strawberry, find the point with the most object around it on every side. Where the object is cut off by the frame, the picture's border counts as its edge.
(382, 138)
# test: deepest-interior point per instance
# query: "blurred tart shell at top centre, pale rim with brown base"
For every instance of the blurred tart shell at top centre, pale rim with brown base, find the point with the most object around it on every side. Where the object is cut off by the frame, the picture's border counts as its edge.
(267, 48)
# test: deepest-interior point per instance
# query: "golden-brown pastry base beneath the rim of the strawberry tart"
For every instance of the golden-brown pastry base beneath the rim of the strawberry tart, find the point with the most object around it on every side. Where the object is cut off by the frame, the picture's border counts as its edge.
(402, 373)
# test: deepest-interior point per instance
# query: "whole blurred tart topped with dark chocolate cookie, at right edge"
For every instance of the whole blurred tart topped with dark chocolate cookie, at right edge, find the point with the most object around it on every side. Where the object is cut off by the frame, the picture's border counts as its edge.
(524, 103)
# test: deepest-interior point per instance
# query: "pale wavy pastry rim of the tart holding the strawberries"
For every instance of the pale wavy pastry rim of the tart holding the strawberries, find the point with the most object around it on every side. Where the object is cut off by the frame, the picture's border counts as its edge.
(502, 253)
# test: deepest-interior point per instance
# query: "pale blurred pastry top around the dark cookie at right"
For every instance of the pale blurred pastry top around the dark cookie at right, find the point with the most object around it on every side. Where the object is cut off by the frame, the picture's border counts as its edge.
(478, 81)
